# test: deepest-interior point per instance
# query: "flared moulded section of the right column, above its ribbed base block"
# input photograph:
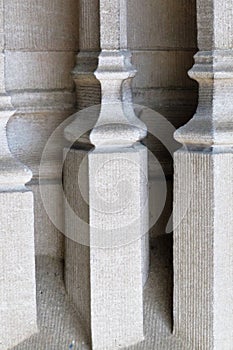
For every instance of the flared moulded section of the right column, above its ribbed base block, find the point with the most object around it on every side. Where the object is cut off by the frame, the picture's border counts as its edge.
(212, 123)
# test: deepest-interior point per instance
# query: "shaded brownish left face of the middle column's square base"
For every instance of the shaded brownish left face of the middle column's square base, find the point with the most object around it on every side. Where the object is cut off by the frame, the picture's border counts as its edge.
(77, 244)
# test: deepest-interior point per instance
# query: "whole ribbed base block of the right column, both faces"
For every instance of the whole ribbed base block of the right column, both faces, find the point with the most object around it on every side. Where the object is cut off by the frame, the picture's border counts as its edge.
(203, 298)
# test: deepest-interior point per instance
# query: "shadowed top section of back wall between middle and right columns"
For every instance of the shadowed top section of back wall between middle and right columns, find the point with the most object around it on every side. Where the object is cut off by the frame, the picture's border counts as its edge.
(164, 24)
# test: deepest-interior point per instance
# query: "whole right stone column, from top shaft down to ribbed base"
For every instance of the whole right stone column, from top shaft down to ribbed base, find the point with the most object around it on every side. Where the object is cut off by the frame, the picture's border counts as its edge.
(203, 235)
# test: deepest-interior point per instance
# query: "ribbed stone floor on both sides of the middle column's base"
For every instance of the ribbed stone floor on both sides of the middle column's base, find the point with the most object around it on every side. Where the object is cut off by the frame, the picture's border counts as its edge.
(60, 326)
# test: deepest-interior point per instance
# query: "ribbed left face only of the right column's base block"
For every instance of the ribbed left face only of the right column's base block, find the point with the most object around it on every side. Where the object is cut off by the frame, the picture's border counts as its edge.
(193, 249)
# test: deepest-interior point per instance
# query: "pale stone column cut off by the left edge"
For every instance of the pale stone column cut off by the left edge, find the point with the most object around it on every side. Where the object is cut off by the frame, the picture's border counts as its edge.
(17, 266)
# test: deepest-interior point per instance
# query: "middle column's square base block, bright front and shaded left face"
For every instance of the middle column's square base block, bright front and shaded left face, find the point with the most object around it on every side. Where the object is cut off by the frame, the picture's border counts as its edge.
(114, 270)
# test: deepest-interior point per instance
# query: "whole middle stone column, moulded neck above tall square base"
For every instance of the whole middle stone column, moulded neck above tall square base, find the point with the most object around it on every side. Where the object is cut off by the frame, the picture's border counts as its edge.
(109, 272)
